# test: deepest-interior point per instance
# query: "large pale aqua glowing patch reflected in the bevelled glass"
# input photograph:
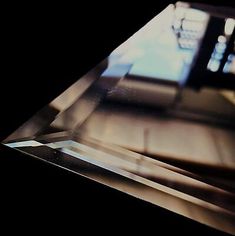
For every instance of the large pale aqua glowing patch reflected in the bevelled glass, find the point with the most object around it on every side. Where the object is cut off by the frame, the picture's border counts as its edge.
(164, 60)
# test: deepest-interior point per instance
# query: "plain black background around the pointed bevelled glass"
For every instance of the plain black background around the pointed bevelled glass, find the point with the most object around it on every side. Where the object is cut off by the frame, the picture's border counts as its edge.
(45, 49)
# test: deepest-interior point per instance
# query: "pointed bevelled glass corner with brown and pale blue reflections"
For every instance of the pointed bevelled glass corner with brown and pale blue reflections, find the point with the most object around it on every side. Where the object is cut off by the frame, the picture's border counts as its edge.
(138, 122)
